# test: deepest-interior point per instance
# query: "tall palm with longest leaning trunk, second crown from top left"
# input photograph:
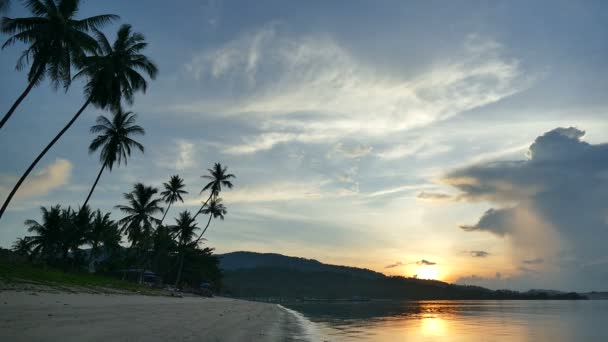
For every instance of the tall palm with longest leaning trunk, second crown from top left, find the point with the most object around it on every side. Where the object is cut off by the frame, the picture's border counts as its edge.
(112, 76)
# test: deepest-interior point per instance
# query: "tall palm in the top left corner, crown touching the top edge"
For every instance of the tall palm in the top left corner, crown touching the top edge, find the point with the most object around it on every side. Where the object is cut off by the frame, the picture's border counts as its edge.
(56, 41)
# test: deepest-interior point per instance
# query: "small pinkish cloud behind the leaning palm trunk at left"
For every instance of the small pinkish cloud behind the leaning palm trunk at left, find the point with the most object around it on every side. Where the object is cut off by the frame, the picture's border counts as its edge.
(38, 184)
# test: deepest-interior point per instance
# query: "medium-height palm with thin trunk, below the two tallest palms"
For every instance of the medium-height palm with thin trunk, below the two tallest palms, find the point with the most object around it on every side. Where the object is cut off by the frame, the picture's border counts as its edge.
(114, 141)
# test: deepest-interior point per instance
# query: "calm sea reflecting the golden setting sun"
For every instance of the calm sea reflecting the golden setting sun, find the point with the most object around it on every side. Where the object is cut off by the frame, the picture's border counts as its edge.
(456, 321)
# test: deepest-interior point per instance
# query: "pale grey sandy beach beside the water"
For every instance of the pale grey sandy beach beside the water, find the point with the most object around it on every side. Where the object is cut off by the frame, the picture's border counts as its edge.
(40, 316)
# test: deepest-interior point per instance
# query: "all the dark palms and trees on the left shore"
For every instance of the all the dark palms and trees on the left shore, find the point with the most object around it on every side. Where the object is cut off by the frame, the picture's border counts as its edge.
(61, 48)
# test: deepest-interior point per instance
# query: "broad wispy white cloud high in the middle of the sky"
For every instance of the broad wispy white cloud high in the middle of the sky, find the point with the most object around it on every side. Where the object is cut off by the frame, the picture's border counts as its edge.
(312, 89)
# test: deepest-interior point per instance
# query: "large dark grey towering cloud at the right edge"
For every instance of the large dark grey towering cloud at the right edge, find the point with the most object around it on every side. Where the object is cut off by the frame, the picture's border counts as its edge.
(551, 205)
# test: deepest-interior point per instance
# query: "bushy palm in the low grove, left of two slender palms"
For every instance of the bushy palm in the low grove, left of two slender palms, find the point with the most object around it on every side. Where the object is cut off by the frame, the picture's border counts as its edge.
(139, 222)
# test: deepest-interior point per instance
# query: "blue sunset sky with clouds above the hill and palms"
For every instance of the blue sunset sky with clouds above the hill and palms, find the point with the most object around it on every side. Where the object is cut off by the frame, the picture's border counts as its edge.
(462, 140)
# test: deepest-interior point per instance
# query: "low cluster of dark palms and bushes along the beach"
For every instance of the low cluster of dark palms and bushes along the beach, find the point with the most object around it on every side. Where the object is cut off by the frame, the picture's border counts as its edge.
(166, 249)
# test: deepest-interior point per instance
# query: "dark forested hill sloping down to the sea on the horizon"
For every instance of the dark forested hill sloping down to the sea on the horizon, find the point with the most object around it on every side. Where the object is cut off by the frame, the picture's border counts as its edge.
(249, 274)
